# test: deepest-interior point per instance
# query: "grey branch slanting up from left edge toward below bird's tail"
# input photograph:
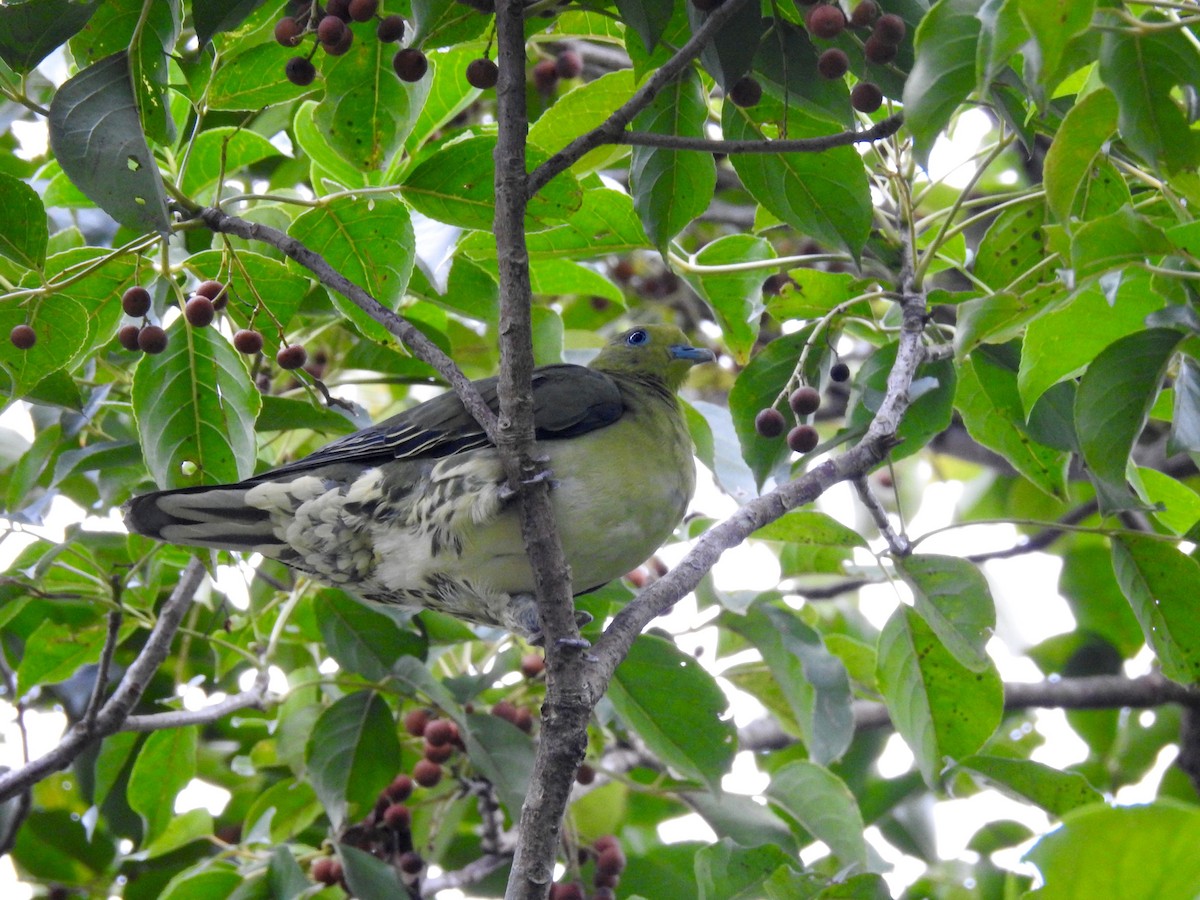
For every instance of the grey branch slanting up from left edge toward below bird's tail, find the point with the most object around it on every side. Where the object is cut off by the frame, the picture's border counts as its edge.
(115, 713)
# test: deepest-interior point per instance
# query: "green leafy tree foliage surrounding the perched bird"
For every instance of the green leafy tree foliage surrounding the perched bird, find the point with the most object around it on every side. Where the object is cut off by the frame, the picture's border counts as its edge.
(1055, 299)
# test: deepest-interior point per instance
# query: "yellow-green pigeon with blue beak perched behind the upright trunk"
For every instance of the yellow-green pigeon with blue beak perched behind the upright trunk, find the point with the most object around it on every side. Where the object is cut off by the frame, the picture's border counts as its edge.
(417, 511)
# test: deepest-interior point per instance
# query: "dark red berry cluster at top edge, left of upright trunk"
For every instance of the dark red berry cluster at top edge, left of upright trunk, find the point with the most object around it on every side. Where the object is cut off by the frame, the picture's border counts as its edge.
(335, 37)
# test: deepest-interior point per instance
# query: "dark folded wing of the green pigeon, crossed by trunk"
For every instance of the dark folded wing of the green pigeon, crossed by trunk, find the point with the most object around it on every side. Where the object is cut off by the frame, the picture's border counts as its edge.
(569, 401)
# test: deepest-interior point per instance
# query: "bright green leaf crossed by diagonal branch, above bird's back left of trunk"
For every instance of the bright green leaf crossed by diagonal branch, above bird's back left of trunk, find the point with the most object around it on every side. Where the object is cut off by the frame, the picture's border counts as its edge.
(370, 242)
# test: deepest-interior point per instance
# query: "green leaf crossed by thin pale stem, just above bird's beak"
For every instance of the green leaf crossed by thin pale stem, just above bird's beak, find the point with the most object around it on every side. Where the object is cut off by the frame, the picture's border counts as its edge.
(735, 295)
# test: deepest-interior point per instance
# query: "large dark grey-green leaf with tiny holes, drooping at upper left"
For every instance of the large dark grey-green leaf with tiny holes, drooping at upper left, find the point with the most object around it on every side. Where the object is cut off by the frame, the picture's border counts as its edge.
(97, 137)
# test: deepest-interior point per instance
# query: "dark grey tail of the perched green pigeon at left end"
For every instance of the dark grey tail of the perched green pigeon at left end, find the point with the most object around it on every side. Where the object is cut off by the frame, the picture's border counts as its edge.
(205, 518)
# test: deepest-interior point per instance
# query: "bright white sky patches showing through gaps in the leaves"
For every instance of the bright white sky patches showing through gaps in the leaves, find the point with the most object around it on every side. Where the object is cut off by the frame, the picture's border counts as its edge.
(1030, 611)
